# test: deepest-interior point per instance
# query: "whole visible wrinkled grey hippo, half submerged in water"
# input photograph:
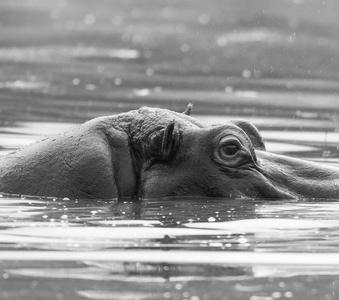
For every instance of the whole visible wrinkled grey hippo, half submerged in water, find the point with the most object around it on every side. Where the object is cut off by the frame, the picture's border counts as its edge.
(154, 152)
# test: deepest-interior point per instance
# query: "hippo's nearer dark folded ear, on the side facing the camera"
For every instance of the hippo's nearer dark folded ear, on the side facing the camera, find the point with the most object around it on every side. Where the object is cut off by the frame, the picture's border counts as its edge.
(163, 143)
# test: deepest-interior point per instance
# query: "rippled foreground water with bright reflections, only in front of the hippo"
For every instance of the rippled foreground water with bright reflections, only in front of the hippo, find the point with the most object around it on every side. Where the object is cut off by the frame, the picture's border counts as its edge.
(182, 248)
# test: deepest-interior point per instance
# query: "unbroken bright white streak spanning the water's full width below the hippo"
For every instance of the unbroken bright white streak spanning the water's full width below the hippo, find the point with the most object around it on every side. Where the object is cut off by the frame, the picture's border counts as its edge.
(307, 260)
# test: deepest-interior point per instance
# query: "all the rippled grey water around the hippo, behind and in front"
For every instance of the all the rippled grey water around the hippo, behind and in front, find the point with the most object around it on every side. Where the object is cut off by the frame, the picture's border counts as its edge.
(273, 62)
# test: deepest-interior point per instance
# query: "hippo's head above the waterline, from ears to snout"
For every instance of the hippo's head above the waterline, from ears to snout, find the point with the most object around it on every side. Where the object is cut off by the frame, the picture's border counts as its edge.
(185, 157)
